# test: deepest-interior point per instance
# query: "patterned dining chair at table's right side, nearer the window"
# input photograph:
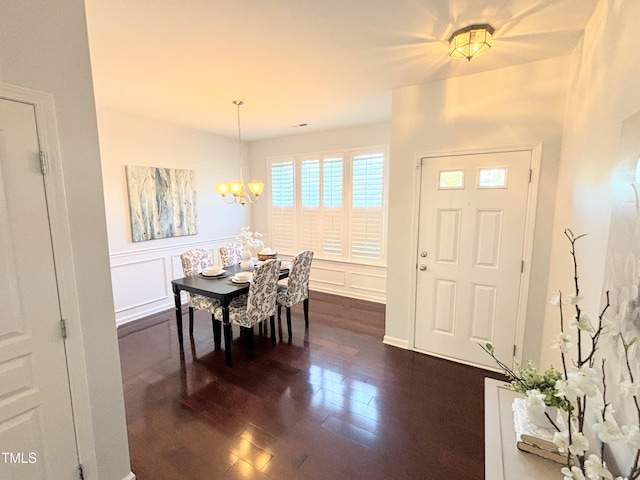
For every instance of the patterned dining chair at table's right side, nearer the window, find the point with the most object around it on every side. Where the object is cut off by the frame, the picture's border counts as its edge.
(297, 288)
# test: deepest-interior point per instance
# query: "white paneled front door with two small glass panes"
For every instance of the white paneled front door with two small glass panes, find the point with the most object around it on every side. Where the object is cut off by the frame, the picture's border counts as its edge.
(470, 252)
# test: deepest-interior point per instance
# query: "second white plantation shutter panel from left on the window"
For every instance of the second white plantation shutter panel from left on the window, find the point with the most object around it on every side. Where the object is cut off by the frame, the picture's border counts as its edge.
(310, 210)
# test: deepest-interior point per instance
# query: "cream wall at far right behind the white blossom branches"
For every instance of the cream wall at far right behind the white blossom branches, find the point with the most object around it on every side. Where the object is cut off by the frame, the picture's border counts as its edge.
(604, 91)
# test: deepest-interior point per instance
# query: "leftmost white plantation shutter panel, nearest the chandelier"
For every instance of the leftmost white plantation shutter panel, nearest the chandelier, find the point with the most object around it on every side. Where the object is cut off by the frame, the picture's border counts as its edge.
(283, 227)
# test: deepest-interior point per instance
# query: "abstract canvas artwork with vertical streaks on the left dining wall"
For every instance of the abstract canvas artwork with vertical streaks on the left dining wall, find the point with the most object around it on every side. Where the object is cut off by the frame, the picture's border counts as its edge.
(162, 202)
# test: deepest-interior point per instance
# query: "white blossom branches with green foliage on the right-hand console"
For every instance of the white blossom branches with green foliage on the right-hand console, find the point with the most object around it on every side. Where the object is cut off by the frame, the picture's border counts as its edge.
(580, 388)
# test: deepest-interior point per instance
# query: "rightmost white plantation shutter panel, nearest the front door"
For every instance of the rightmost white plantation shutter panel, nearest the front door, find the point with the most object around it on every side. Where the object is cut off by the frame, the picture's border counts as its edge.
(367, 212)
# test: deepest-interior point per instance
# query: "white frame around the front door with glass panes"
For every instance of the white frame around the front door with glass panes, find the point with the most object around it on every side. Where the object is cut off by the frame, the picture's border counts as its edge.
(532, 203)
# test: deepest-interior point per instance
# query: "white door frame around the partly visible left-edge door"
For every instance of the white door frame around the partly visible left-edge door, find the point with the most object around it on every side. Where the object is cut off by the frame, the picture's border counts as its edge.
(46, 124)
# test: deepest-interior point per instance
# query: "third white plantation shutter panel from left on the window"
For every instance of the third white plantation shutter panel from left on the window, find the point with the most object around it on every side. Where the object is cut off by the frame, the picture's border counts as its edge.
(332, 206)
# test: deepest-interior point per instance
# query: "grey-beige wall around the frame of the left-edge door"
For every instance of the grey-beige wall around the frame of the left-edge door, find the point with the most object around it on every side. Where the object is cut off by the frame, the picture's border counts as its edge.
(43, 46)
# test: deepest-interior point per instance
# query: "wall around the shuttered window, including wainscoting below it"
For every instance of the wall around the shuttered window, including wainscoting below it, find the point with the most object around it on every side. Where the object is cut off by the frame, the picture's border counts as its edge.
(341, 278)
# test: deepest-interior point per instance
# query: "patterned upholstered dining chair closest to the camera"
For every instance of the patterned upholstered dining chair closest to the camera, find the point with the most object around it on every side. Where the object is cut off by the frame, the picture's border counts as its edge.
(258, 305)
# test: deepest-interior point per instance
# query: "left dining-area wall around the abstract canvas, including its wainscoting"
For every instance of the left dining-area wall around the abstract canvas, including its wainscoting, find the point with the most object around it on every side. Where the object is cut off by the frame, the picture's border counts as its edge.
(142, 271)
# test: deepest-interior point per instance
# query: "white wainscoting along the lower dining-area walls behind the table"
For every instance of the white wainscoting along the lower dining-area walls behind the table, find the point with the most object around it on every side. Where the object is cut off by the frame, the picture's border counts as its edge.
(142, 278)
